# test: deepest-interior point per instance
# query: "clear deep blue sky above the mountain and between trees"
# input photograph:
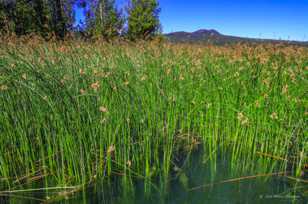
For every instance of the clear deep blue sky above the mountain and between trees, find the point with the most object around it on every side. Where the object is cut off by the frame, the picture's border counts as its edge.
(277, 19)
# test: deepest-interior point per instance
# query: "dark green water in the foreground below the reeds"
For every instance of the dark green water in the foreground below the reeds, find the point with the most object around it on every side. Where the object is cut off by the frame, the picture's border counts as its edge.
(180, 189)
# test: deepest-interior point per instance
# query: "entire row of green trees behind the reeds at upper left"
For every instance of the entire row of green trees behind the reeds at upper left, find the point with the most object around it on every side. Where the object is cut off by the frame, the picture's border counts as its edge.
(48, 18)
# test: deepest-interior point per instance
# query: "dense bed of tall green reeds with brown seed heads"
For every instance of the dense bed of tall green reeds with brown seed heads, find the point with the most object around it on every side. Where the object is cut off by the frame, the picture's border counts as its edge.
(74, 112)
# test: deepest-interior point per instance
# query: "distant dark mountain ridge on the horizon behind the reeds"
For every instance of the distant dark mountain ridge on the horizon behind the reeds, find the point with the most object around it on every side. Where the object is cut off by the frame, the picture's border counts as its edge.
(214, 37)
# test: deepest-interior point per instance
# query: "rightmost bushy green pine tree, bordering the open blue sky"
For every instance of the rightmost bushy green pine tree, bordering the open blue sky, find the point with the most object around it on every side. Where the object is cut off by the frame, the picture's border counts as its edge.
(143, 19)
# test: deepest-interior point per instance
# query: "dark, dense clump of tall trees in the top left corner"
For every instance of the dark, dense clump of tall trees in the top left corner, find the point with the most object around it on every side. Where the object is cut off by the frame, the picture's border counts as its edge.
(42, 17)
